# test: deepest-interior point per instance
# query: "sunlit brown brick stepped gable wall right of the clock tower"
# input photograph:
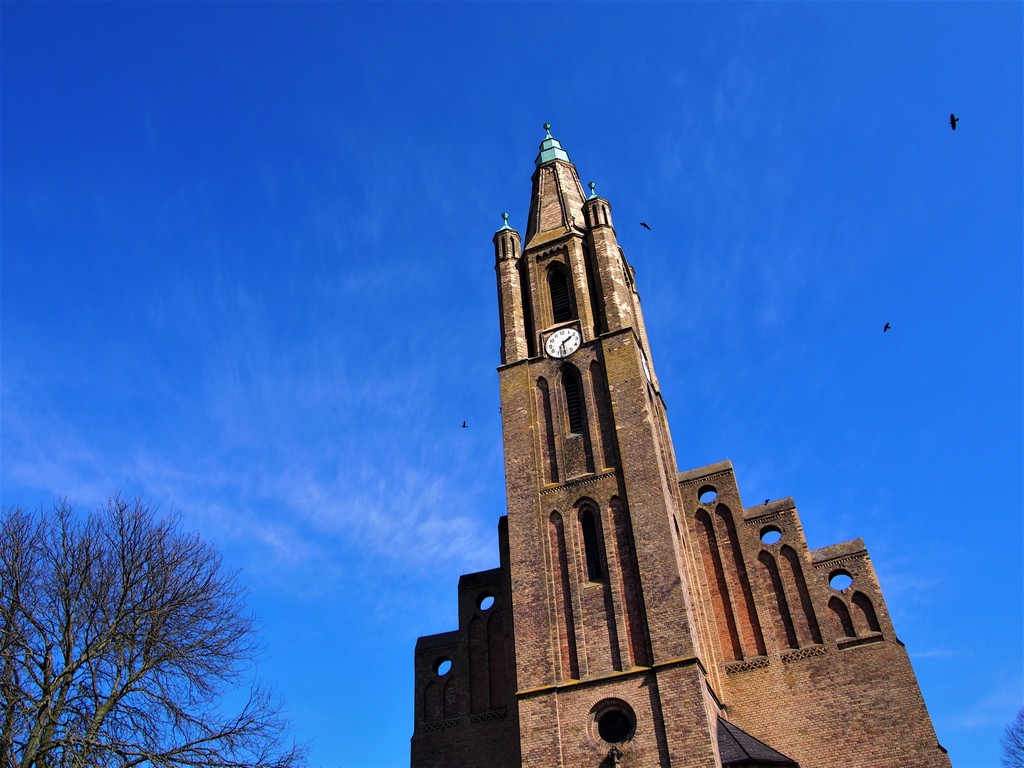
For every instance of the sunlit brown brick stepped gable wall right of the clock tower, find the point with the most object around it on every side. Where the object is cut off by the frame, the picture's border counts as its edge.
(838, 702)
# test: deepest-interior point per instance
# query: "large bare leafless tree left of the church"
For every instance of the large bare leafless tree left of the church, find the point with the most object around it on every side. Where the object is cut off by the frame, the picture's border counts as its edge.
(120, 637)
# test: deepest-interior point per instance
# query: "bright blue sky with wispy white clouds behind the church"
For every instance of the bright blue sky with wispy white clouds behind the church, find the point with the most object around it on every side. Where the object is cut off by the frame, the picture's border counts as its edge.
(247, 274)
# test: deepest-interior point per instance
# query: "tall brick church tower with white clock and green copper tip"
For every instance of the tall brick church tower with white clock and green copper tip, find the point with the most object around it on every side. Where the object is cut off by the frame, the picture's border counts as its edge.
(590, 478)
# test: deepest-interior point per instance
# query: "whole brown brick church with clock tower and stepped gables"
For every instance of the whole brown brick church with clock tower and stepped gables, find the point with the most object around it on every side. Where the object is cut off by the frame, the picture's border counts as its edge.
(643, 616)
